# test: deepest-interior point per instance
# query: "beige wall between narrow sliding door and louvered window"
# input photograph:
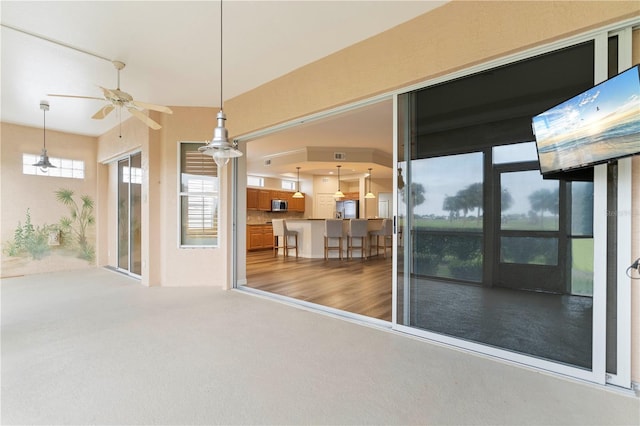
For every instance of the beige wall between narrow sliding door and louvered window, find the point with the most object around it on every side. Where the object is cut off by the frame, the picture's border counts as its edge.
(163, 263)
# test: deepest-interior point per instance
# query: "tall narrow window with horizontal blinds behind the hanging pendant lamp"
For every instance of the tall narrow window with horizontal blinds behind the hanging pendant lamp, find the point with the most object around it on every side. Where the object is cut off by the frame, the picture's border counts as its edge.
(199, 187)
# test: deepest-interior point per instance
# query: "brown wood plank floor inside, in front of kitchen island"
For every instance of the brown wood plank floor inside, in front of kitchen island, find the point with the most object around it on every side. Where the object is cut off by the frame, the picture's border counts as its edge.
(357, 286)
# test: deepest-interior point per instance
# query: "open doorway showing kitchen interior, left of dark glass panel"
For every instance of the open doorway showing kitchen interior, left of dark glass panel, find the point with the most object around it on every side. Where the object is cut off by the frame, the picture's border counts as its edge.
(349, 138)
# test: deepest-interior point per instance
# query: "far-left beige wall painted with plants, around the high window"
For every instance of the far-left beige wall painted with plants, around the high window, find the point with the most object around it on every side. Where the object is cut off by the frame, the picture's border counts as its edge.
(37, 193)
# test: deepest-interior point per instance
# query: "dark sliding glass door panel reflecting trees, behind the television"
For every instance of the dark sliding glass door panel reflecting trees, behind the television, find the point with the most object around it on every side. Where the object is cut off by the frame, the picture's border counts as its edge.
(492, 256)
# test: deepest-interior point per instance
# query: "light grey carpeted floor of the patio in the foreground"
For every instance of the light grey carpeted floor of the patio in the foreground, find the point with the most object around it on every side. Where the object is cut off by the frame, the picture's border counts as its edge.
(95, 347)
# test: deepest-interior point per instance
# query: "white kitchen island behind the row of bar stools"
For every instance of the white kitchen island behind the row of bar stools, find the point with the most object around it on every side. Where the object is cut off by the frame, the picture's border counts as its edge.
(311, 236)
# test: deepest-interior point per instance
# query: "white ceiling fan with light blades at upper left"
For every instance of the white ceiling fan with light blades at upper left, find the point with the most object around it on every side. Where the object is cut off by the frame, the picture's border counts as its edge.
(118, 98)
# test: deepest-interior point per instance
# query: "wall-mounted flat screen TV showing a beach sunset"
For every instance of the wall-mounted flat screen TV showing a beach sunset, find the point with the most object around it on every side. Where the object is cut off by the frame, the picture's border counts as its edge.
(598, 125)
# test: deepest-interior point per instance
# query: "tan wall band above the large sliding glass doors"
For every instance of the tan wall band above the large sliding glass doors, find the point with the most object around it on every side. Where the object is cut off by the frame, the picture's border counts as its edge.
(452, 37)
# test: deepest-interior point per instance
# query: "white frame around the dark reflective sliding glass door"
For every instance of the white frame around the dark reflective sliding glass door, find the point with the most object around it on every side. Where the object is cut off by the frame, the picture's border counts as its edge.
(598, 373)
